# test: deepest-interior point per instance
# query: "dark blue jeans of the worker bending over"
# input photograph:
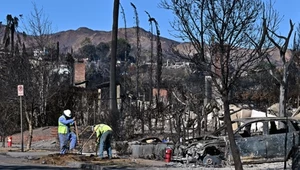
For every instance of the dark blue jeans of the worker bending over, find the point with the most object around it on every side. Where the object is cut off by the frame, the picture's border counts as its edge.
(105, 141)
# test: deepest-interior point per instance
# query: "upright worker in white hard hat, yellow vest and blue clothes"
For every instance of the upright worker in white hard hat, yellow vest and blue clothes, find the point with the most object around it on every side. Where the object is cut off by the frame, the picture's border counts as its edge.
(64, 133)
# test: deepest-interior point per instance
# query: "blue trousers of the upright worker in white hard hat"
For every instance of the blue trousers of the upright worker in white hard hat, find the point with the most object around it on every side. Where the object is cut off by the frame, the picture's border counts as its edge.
(64, 140)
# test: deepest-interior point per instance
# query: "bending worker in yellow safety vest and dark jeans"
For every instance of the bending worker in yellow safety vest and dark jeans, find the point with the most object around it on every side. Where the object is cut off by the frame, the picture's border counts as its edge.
(104, 135)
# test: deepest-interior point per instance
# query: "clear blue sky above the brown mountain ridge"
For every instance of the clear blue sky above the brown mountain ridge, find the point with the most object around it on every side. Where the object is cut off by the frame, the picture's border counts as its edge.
(97, 14)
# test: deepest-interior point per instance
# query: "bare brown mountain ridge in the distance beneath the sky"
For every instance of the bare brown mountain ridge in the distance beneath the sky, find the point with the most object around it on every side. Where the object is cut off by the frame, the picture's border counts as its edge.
(71, 39)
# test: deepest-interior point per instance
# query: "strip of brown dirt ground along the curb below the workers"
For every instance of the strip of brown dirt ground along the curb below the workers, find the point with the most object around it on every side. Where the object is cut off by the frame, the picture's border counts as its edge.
(64, 160)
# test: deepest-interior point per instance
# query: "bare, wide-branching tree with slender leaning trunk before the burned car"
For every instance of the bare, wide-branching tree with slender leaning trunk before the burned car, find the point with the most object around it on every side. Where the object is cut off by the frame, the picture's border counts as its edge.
(238, 41)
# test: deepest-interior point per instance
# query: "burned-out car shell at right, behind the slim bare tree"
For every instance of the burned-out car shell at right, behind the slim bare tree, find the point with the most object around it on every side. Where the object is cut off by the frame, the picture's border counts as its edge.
(259, 140)
